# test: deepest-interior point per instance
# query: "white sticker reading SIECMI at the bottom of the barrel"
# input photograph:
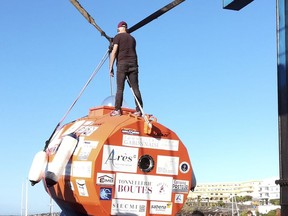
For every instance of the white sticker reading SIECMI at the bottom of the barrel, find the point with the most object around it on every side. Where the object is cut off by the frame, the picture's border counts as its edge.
(128, 207)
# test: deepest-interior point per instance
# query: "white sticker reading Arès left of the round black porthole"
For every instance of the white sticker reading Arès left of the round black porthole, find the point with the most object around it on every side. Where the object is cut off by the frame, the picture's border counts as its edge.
(118, 158)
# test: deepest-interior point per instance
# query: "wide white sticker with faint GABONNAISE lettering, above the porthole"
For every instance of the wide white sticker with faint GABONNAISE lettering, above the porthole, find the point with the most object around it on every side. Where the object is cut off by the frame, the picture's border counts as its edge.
(150, 142)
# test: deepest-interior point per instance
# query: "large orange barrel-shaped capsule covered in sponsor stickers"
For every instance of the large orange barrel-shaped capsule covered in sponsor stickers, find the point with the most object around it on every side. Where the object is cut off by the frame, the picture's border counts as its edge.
(121, 168)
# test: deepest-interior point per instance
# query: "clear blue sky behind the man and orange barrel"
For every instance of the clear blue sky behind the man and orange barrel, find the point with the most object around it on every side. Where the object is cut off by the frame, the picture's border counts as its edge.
(206, 73)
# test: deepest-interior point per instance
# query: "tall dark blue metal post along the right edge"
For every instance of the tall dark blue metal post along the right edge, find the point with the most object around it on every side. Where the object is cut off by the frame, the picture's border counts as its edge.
(282, 74)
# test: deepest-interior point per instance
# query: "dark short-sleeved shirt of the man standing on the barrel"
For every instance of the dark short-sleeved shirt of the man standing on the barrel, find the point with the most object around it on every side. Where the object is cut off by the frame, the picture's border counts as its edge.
(126, 48)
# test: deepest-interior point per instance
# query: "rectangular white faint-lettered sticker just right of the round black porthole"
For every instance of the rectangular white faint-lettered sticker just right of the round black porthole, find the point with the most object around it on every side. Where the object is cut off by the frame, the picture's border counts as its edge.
(167, 165)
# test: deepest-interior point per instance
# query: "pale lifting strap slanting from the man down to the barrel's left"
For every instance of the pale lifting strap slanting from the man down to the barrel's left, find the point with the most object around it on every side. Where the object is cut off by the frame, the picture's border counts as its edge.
(79, 95)
